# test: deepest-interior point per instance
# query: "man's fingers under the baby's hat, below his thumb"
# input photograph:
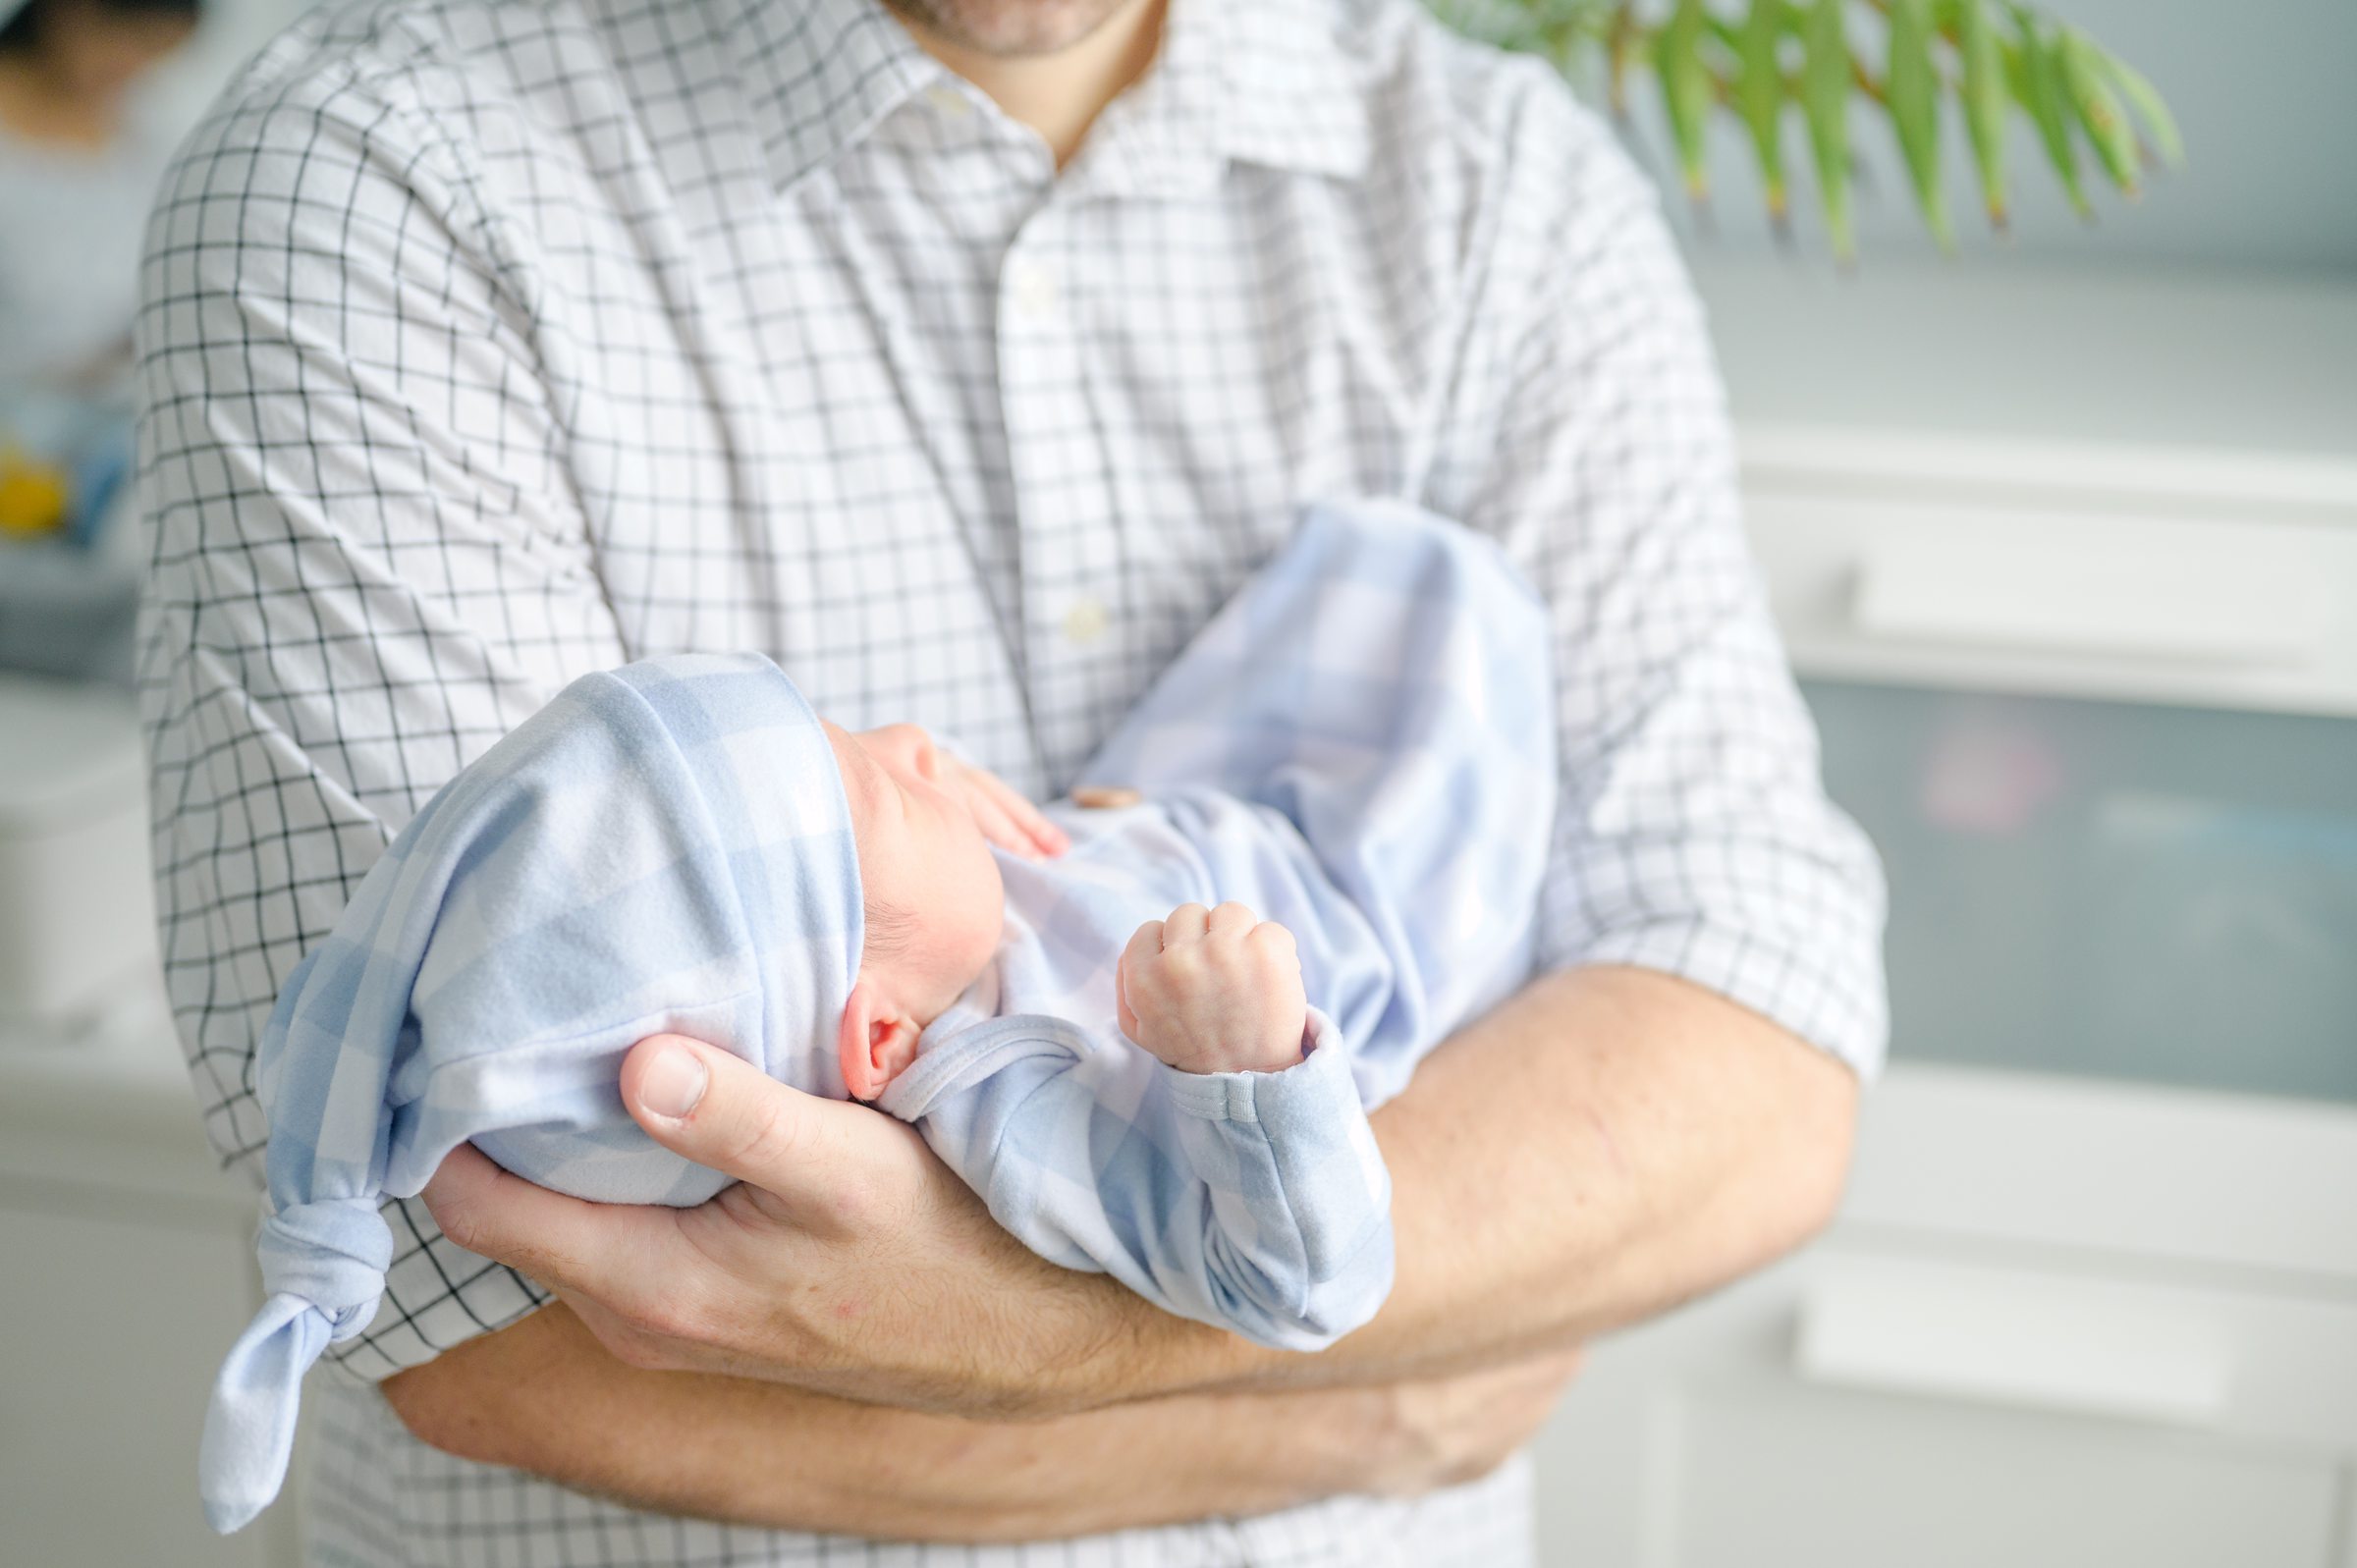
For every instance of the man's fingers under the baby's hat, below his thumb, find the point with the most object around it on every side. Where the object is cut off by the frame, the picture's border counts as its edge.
(557, 1241)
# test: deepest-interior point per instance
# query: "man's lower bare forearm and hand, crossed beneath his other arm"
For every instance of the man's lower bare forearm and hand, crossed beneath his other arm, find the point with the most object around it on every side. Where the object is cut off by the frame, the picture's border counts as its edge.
(546, 1397)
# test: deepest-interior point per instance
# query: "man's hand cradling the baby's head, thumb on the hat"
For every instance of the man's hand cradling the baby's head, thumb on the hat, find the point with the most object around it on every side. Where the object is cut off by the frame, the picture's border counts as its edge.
(847, 1260)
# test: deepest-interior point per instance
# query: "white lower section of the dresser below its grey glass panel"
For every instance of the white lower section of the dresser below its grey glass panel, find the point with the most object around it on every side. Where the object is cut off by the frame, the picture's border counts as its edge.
(1976, 1369)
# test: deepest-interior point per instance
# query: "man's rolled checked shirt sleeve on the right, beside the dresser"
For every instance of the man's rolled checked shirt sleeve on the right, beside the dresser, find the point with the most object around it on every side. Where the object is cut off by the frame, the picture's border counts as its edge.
(1694, 834)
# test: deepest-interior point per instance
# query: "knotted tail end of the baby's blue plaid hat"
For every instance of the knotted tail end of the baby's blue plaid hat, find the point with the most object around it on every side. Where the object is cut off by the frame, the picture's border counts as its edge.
(324, 1267)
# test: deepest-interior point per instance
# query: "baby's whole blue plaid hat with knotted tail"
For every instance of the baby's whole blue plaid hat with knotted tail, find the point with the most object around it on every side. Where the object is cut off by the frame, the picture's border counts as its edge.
(663, 848)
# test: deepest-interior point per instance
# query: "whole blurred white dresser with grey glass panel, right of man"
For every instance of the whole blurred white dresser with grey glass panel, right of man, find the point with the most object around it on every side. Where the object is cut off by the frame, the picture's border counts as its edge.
(2071, 567)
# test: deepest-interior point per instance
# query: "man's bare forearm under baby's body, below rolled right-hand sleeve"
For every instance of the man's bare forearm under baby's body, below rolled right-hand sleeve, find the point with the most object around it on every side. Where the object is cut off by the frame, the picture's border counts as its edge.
(1602, 1147)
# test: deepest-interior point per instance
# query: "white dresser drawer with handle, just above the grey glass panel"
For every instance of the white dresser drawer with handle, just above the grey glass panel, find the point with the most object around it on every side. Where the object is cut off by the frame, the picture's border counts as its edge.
(2231, 607)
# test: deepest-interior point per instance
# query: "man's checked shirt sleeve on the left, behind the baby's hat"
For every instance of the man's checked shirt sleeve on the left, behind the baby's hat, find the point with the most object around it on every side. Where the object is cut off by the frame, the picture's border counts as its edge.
(367, 565)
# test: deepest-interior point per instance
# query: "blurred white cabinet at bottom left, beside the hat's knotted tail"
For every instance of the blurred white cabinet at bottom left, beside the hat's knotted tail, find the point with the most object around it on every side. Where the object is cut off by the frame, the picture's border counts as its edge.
(126, 1270)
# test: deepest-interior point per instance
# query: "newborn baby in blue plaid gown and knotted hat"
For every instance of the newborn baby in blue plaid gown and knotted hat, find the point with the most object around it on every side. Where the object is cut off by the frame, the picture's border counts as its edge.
(1109, 1046)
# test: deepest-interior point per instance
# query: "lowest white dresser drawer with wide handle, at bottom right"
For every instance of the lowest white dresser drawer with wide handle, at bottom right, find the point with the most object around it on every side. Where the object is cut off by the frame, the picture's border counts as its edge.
(1939, 1406)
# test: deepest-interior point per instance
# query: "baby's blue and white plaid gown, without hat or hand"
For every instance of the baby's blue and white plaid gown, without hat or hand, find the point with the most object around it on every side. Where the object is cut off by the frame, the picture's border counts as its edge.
(1359, 746)
